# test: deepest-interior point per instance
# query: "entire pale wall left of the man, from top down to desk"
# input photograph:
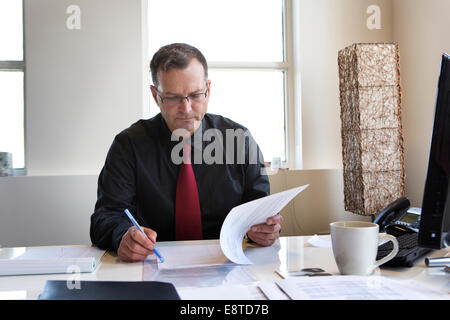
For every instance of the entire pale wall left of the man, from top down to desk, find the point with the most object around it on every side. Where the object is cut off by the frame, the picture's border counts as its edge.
(82, 88)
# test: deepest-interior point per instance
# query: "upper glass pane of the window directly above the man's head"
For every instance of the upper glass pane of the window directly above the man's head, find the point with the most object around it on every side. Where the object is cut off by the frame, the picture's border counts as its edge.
(231, 30)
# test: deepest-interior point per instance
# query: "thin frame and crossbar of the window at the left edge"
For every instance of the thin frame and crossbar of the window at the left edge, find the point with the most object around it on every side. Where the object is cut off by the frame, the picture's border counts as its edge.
(19, 66)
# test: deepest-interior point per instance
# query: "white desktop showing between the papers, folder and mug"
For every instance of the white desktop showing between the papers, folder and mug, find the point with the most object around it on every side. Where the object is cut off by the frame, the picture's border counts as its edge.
(290, 253)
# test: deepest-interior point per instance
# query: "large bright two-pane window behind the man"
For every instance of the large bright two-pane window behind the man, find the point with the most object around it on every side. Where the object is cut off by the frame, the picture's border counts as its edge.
(245, 43)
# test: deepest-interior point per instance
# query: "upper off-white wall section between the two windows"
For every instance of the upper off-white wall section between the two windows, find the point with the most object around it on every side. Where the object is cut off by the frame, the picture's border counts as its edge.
(82, 86)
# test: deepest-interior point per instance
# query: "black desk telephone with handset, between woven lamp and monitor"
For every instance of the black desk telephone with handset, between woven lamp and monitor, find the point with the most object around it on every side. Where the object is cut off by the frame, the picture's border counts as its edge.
(398, 218)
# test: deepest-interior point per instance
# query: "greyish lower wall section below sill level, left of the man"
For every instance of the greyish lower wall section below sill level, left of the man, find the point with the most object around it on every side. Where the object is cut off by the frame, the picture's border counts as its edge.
(53, 210)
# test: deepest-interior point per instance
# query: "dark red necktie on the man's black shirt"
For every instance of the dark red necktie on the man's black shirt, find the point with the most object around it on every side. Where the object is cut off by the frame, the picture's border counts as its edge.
(188, 222)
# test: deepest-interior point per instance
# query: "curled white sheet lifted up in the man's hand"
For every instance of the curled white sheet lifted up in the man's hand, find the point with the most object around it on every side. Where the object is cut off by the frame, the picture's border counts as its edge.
(242, 217)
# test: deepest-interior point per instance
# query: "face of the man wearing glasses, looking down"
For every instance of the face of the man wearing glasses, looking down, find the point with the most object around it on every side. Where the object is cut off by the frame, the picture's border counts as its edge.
(177, 83)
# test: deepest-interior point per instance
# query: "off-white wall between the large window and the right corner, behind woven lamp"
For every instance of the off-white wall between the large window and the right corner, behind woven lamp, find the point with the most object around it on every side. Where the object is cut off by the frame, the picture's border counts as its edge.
(327, 26)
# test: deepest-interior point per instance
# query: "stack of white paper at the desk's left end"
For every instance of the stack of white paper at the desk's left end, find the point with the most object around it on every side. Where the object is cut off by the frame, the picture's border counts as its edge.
(40, 260)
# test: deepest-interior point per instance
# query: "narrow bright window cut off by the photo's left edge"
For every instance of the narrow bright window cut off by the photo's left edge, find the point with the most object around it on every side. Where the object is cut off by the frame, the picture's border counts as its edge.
(12, 69)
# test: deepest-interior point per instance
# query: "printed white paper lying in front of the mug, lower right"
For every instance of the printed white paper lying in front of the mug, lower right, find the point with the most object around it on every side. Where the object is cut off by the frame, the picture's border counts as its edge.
(357, 288)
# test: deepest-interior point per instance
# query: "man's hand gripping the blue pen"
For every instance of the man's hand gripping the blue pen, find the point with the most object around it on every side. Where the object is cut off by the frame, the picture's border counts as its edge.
(134, 246)
